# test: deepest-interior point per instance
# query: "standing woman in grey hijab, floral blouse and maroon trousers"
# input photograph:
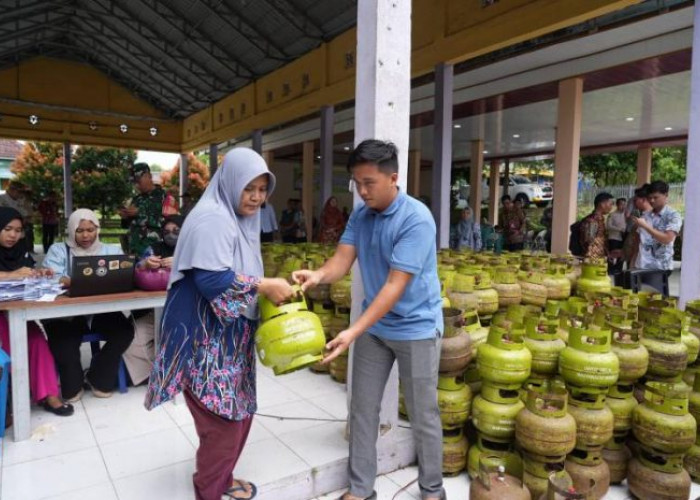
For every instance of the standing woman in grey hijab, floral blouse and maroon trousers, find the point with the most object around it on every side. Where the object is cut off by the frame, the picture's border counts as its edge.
(210, 317)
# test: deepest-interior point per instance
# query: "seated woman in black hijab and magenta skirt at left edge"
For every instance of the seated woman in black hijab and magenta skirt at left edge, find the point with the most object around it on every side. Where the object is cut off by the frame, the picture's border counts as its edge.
(17, 264)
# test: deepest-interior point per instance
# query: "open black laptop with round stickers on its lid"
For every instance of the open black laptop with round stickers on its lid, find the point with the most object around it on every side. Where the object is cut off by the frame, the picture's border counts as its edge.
(101, 274)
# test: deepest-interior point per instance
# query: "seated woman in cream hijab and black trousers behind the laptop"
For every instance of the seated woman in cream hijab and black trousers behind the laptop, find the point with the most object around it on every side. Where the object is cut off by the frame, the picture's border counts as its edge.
(66, 335)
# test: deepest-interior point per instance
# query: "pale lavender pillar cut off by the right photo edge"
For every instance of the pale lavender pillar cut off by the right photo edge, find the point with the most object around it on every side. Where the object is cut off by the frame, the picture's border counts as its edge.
(690, 270)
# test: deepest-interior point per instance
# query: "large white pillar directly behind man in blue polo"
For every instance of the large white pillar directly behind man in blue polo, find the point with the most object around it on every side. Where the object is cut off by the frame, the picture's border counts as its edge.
(382, 106)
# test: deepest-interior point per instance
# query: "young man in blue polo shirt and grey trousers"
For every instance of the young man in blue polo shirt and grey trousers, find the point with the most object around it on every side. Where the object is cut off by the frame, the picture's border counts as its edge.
(393, 237)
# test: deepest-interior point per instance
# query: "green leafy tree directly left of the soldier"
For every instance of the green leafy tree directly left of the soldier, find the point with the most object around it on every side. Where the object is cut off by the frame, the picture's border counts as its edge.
(102, 178)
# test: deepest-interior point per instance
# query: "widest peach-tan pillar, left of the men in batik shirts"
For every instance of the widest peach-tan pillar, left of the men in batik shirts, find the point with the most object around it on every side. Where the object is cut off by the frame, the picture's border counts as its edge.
(566, 157)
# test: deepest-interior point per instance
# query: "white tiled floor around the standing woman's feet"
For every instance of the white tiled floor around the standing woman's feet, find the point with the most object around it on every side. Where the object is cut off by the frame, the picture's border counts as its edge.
(115, 450)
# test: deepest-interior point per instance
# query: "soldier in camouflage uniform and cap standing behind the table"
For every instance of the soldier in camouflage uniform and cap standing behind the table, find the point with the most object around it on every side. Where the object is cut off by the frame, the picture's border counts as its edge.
(144, 217)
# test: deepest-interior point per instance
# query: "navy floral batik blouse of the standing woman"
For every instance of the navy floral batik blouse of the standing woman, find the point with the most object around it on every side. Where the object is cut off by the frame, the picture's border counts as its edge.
(207, 345)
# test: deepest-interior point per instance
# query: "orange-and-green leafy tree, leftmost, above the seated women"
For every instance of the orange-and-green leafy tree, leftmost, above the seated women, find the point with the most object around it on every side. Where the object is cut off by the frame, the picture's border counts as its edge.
(39, 166)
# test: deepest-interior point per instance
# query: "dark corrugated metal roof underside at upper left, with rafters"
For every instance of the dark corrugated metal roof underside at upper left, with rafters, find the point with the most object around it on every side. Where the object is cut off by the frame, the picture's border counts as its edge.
(178, 55)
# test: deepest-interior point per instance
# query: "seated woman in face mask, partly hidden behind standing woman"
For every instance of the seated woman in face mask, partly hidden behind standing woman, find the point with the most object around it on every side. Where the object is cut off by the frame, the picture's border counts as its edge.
(140, 355)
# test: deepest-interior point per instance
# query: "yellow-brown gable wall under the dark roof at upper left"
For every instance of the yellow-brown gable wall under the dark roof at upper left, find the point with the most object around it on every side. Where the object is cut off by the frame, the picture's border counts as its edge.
(67, 96)
